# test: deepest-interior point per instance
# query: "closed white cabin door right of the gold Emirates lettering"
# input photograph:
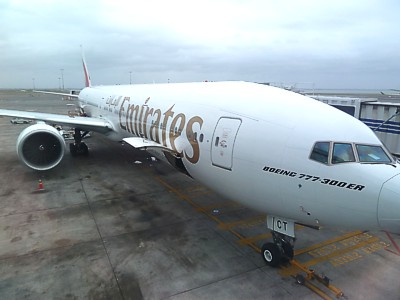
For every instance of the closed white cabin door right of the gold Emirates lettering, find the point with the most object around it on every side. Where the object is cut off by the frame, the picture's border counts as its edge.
(224, 142)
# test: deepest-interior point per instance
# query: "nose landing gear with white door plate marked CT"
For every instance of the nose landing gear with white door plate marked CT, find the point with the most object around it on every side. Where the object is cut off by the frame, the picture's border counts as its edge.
(281, 249)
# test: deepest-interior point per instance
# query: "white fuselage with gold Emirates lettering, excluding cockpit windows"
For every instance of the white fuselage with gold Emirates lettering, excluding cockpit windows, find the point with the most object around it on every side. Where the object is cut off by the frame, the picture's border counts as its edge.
(252, 143)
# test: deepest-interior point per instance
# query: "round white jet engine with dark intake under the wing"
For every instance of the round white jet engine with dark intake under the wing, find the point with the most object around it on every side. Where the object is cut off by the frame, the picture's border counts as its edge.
(40, 147)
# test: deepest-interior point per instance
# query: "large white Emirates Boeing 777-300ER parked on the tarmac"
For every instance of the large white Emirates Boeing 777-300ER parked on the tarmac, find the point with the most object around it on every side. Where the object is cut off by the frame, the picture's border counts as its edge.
(296, 159)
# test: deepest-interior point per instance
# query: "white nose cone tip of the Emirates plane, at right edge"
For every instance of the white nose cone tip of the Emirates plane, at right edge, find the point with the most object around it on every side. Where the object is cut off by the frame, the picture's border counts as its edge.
(389, 205)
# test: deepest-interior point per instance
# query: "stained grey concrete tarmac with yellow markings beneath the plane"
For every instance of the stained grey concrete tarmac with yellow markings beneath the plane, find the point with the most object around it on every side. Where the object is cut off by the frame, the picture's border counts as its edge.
(119, 224)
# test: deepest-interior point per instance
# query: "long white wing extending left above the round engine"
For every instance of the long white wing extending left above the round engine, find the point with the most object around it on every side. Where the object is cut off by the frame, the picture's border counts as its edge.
(83, 123)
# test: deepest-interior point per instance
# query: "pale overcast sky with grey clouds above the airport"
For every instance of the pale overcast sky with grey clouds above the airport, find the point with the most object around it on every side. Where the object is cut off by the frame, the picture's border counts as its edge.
(333, 44)
